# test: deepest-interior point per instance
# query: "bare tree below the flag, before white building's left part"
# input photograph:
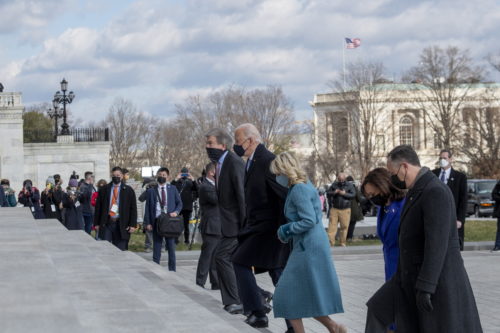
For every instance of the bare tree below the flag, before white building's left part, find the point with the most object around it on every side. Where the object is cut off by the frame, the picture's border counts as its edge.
(362, 100)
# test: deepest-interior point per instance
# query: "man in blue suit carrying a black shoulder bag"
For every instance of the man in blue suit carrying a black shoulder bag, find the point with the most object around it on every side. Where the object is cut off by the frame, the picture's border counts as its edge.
(171, 201)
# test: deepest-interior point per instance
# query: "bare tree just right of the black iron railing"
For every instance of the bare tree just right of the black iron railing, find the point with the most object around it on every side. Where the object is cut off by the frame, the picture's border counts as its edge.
(126, 125)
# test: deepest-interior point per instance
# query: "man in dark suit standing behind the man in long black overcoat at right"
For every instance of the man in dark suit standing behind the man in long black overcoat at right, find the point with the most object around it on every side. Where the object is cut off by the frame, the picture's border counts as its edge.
(457, 182)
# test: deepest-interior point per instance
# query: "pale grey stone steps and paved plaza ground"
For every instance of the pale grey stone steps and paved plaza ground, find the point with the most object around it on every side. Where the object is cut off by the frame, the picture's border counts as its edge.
(55, 280)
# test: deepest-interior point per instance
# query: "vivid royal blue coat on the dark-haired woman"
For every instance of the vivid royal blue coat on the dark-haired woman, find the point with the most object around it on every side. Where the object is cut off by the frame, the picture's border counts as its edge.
(387, 231)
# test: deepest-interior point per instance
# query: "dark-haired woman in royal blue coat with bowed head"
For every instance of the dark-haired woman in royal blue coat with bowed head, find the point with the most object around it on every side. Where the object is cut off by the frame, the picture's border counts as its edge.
(378, 187)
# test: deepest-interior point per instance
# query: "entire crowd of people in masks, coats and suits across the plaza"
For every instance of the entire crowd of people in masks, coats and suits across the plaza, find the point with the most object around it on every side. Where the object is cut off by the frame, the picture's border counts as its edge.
(260, 214)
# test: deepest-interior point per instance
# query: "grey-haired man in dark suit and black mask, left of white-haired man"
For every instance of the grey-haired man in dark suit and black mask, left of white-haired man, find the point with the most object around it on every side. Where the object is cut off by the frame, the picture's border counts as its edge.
(229, 176)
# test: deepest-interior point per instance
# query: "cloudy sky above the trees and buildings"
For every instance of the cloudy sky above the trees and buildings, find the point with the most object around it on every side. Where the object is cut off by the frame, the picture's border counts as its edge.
(156, 53)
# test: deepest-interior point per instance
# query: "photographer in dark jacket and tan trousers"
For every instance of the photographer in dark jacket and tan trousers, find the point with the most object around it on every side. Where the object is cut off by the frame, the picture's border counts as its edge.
(340, 195)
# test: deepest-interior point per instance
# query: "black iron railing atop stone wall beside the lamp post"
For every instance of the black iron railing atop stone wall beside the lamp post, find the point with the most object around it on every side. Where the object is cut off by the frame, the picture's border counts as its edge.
(79, 135)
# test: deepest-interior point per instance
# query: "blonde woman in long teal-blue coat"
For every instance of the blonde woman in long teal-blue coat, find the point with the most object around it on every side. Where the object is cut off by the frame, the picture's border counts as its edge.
(308, 286)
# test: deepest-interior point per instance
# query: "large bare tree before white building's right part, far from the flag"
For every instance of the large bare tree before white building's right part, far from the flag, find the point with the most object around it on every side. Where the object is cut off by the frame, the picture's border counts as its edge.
(446, 77)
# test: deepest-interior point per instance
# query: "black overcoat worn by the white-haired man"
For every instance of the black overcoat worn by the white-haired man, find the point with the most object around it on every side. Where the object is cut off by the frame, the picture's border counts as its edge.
(259, 245)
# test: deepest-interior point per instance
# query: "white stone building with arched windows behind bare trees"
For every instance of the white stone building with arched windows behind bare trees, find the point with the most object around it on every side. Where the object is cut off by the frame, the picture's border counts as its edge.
(387, 115)
